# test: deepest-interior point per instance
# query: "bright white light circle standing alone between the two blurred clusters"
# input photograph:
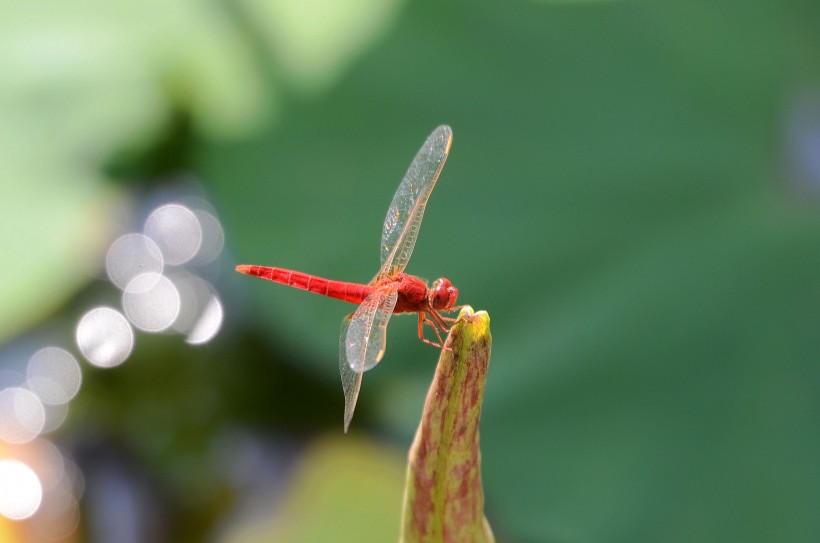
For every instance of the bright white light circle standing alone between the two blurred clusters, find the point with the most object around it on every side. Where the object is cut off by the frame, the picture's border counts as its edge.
(104, 337)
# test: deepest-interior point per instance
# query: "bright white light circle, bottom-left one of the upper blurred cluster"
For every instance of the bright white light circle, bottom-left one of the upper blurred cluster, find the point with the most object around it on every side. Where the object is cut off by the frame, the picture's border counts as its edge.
(151, 302)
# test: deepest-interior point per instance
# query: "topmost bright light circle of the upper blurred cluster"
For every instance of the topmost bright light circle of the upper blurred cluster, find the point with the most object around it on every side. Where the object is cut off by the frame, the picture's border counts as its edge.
(177, 232)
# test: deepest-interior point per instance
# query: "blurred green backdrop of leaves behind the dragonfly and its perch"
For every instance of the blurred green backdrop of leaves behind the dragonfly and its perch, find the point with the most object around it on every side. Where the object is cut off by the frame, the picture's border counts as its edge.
(632, 194)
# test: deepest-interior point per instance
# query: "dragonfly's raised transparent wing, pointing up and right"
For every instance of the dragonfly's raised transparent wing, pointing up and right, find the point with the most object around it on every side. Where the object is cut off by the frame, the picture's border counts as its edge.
(401, 226)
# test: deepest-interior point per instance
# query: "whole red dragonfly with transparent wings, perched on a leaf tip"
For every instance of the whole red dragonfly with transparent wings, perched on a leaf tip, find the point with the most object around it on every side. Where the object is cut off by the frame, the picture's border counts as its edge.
(363, 336)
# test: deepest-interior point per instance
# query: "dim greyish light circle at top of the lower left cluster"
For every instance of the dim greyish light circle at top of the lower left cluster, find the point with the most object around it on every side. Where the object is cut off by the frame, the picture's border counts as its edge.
(54, 375)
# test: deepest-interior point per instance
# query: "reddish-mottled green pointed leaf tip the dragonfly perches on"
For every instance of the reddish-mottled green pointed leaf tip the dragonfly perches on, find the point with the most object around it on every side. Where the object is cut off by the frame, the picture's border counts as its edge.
(444, 499)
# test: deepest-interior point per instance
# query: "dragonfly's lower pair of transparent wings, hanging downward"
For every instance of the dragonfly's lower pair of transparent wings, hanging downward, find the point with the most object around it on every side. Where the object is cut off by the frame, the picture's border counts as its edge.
(362, 343)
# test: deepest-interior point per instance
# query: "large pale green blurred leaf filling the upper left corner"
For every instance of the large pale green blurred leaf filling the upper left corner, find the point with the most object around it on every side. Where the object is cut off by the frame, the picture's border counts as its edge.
(81, 82)
